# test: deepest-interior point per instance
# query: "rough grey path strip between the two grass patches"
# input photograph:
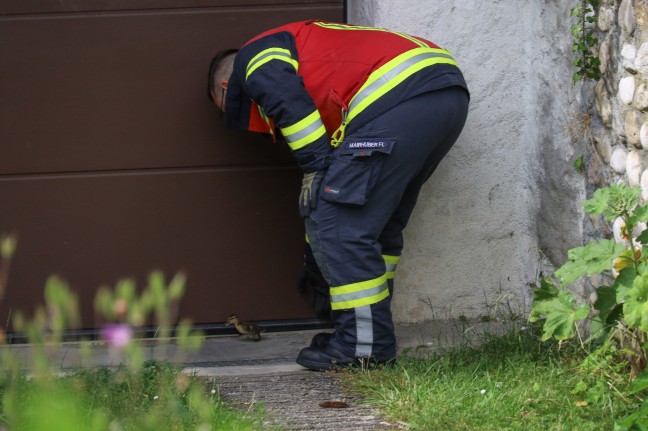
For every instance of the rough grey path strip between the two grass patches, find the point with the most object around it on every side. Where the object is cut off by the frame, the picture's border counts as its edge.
(292, 401)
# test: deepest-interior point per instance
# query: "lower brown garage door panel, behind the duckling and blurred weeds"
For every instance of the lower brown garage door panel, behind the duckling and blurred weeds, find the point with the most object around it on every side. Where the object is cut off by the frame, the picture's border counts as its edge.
(240, 246)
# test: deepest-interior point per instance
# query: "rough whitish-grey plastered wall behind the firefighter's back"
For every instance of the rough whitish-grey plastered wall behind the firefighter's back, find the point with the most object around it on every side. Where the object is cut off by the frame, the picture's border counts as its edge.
(507, 190)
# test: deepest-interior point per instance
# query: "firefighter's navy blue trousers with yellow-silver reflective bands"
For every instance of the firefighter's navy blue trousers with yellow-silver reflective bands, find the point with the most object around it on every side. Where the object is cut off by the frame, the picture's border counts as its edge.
(365, 201)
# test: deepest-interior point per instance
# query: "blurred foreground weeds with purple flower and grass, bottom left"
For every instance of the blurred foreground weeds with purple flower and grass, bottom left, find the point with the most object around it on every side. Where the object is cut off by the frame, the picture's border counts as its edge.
(138, 395)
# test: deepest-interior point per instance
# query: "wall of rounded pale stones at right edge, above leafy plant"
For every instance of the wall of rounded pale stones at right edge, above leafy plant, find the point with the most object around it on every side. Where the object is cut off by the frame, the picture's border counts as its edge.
(620, 128)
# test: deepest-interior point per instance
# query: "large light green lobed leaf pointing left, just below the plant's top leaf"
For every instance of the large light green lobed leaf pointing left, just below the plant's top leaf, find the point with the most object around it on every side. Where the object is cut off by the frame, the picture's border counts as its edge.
(597, 256)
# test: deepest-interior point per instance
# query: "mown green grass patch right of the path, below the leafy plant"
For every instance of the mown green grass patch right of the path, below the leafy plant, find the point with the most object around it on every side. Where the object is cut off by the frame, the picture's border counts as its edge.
(508, 382)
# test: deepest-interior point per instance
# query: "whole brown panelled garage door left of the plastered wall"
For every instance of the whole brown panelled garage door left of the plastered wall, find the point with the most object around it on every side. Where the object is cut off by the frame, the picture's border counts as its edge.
(113, 163)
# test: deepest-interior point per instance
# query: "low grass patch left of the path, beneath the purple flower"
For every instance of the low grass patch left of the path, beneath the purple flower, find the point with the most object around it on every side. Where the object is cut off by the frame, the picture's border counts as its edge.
(157, 397)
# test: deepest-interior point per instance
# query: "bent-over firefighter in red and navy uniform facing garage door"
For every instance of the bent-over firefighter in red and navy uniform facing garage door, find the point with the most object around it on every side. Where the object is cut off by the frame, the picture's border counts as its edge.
(368, 114)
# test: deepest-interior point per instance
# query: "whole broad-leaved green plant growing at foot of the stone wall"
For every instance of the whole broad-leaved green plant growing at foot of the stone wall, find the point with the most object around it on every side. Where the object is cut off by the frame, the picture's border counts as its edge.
(618, 315)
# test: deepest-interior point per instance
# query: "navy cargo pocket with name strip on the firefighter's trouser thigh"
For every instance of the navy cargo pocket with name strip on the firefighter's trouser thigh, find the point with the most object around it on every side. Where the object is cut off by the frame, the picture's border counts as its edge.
(354, 170)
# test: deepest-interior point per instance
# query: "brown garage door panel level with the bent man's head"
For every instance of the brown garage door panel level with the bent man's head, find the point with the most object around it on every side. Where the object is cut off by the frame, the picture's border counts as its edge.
(127, 90)
